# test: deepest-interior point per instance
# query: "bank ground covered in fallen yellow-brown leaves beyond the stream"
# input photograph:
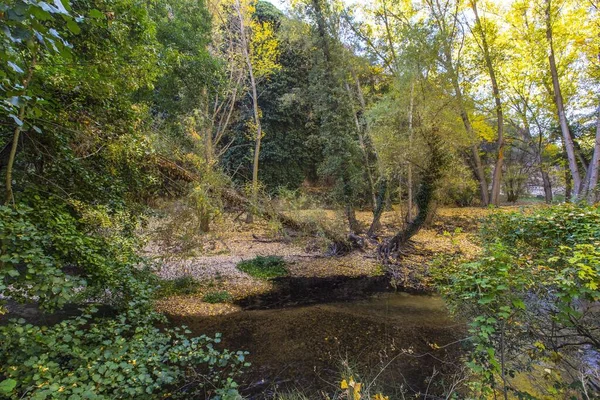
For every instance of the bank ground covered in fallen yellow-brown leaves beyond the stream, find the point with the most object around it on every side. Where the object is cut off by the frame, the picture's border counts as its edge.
(212, 260)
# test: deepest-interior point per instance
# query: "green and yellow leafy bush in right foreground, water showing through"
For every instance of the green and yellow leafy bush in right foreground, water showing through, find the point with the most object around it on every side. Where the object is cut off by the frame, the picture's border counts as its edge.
(532, 296)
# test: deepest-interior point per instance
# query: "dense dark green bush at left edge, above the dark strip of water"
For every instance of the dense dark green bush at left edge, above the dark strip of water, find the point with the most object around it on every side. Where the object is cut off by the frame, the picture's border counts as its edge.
(48, 252)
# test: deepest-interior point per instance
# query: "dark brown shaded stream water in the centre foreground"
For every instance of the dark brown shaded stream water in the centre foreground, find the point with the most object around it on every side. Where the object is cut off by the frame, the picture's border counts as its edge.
(302, 333)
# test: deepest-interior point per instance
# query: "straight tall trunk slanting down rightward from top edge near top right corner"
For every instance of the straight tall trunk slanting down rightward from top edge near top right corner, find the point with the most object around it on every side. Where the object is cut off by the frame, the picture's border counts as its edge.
(558, 100)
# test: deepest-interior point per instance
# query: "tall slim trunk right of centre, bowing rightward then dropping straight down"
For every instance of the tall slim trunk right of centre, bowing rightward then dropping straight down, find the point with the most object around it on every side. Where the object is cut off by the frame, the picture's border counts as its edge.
(497, 176)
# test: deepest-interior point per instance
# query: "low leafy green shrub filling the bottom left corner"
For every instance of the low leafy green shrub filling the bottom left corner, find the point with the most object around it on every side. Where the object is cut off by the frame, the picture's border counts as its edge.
(124, 357)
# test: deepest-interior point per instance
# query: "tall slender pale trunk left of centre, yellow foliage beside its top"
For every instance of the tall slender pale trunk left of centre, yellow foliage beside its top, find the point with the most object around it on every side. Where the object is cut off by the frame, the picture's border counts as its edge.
(255, 109)
